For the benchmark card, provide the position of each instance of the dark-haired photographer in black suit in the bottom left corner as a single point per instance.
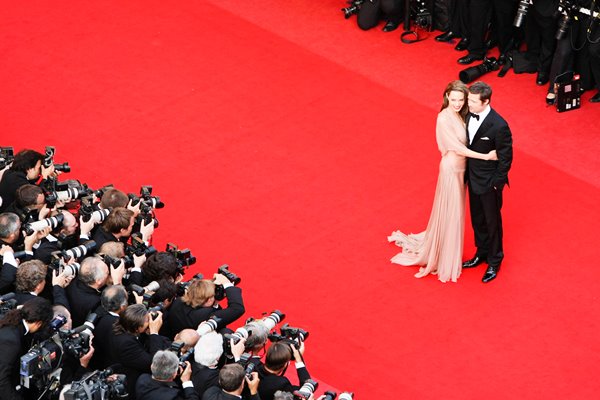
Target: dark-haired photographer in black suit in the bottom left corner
(16, 329)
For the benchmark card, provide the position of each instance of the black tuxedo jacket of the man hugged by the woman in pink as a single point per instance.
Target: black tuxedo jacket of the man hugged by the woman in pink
(493, 134)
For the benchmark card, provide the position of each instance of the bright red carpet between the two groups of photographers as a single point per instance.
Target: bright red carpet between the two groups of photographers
(289, 144)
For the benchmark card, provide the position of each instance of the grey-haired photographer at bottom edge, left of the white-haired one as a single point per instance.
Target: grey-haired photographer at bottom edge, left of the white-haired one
(161, 384)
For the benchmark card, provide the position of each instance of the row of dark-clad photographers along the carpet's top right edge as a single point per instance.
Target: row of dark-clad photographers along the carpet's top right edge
(561, 37)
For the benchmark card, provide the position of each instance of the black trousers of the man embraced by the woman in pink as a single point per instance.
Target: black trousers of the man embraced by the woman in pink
(486, 219)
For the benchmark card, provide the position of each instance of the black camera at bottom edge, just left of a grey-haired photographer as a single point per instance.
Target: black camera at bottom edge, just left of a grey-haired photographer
(100, 385)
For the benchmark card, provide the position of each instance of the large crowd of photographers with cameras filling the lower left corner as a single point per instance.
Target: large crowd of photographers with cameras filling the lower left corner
(90, 309)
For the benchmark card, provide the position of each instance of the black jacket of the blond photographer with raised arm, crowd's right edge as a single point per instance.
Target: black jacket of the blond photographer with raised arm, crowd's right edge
(182, 316)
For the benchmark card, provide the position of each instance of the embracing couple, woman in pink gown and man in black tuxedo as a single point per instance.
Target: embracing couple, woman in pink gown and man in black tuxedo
(476, 147)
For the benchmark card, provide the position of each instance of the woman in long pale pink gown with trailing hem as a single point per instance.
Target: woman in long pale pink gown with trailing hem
(439, 249)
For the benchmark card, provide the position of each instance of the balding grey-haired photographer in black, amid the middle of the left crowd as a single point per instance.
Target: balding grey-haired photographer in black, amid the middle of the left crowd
(84, 292)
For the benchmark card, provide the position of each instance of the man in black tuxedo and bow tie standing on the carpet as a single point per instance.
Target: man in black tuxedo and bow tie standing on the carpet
(487, 131)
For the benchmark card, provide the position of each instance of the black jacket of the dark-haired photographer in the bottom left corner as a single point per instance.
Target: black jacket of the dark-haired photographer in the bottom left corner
(13, 344)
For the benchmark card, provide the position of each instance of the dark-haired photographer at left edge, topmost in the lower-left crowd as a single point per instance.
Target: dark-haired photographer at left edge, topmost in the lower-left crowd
(25, 169)
